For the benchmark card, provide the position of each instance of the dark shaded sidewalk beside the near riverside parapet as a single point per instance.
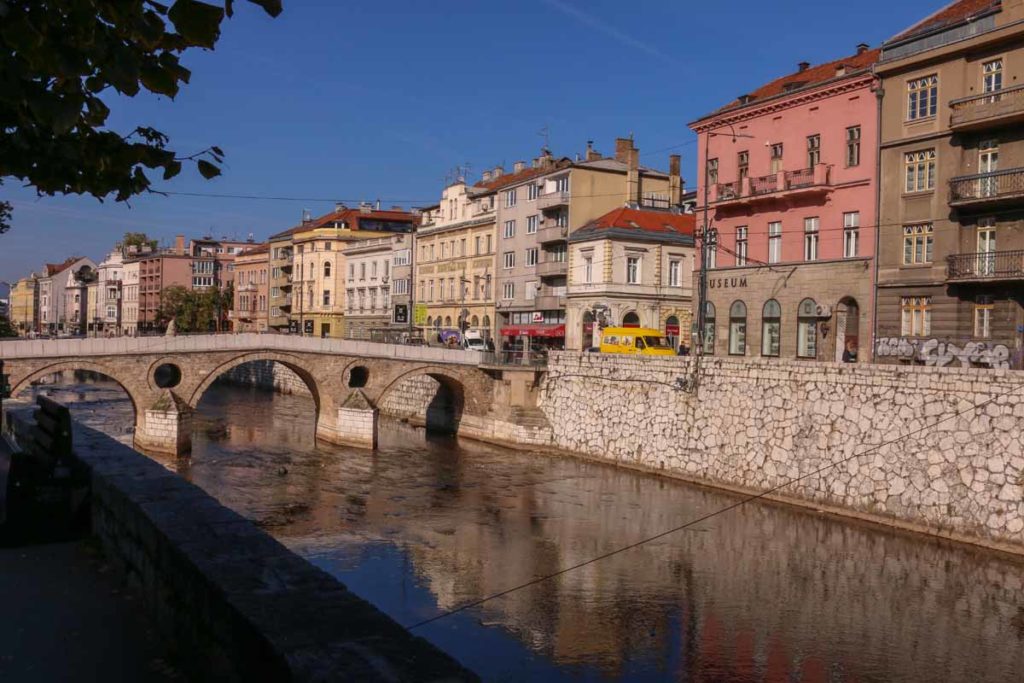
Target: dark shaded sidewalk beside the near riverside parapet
(66, 618)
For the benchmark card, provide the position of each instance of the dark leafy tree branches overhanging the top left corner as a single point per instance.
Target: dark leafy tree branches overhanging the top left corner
(58, 60)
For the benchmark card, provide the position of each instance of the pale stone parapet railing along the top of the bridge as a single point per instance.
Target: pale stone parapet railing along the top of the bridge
(59, 349)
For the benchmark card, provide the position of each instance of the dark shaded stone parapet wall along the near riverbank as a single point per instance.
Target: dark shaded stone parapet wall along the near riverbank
(236, 604)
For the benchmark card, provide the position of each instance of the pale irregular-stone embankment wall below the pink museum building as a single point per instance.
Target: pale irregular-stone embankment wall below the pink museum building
(957, 472)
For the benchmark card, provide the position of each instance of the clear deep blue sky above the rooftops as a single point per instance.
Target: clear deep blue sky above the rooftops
(361, 100)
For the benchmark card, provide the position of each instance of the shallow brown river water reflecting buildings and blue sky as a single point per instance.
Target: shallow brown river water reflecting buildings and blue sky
(761, 593)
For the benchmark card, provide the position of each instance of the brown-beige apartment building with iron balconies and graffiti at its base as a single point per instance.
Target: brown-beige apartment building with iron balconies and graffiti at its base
(951, 275)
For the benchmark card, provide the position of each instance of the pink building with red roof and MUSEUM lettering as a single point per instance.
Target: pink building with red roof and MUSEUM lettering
(791, 191)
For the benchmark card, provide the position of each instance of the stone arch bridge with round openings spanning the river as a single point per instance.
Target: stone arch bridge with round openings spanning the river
(166, 377)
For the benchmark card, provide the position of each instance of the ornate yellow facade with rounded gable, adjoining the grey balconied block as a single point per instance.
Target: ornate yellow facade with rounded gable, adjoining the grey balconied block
(455, 265)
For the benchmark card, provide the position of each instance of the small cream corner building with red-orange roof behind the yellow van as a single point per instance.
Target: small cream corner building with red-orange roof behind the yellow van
(631, 268)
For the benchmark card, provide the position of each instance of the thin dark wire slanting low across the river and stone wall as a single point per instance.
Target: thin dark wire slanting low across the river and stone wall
(705, 518)
